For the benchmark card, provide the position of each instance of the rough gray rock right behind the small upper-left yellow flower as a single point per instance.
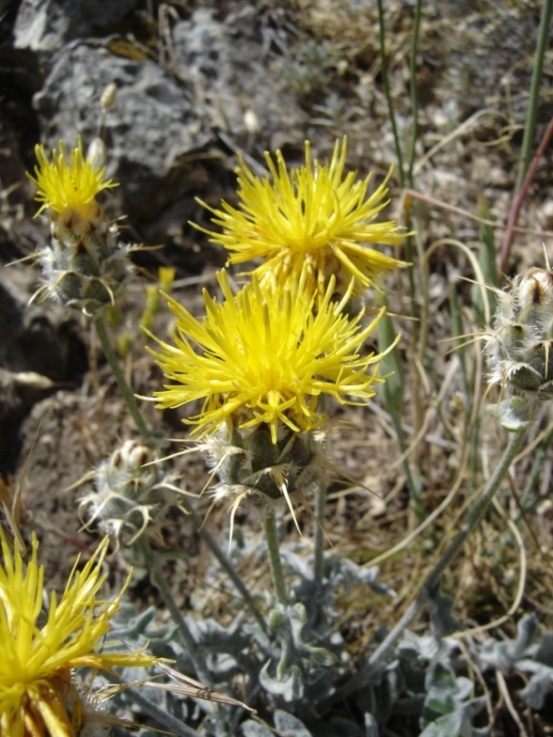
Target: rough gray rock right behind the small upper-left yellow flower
(153, 121)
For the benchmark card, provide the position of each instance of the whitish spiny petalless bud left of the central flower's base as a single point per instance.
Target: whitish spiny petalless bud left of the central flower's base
(130, 497)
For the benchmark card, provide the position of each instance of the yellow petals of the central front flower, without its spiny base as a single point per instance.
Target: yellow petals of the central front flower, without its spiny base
(265, 356)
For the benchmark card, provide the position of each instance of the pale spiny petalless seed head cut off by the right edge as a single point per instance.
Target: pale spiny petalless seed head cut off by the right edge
(518, 348)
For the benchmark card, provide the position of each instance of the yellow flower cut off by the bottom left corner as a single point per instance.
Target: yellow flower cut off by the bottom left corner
(38, 651)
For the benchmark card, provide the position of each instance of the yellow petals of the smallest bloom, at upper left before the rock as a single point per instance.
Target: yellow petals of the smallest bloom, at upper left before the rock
(62, 186)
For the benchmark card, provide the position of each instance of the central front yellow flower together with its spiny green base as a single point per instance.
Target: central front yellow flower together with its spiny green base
(265, 359)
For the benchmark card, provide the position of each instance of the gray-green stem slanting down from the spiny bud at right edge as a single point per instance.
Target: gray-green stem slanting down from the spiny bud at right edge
(429, 584)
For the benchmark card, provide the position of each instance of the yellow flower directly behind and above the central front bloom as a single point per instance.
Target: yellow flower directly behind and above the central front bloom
(313, 215)
